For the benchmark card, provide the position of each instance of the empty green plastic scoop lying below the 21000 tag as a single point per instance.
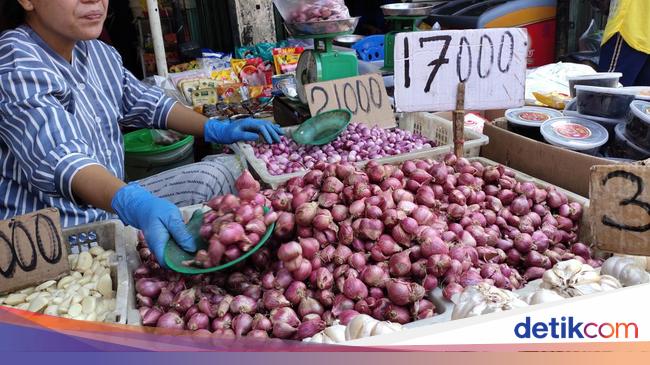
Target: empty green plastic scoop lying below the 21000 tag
(323, 128)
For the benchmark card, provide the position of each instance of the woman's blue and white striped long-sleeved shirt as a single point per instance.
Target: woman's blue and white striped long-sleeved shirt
(57, 117)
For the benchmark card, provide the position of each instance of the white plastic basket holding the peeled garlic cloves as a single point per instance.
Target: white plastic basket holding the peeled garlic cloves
(110, 236)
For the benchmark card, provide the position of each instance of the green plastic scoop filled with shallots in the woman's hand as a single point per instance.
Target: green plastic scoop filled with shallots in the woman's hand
(176, 256)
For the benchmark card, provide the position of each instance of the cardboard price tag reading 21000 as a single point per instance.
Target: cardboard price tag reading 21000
(365, 96)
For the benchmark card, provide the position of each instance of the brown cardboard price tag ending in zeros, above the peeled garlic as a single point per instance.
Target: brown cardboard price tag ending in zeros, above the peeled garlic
(31, 250)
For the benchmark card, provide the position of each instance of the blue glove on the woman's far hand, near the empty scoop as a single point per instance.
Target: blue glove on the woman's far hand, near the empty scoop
(243, 130)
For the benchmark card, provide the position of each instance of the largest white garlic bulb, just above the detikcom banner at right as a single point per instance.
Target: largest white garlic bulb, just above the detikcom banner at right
(572, 279)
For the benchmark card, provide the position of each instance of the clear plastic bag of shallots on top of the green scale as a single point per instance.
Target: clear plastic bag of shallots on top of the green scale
(300, 11)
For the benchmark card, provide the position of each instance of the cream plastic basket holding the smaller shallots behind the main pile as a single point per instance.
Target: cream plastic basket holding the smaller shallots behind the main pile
(429, 125)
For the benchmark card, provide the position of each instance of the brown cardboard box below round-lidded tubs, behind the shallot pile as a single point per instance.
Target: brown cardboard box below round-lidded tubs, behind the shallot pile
(558, 166)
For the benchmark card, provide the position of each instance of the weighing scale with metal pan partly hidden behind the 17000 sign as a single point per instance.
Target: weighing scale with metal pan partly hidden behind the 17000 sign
(403, 18)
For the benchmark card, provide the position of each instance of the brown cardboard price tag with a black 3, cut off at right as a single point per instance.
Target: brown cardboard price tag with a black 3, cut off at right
(620, 208)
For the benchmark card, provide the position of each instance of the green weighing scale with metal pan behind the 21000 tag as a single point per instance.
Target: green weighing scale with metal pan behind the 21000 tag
(323, 63)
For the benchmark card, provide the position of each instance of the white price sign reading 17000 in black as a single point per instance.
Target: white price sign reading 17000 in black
(430, 65)
